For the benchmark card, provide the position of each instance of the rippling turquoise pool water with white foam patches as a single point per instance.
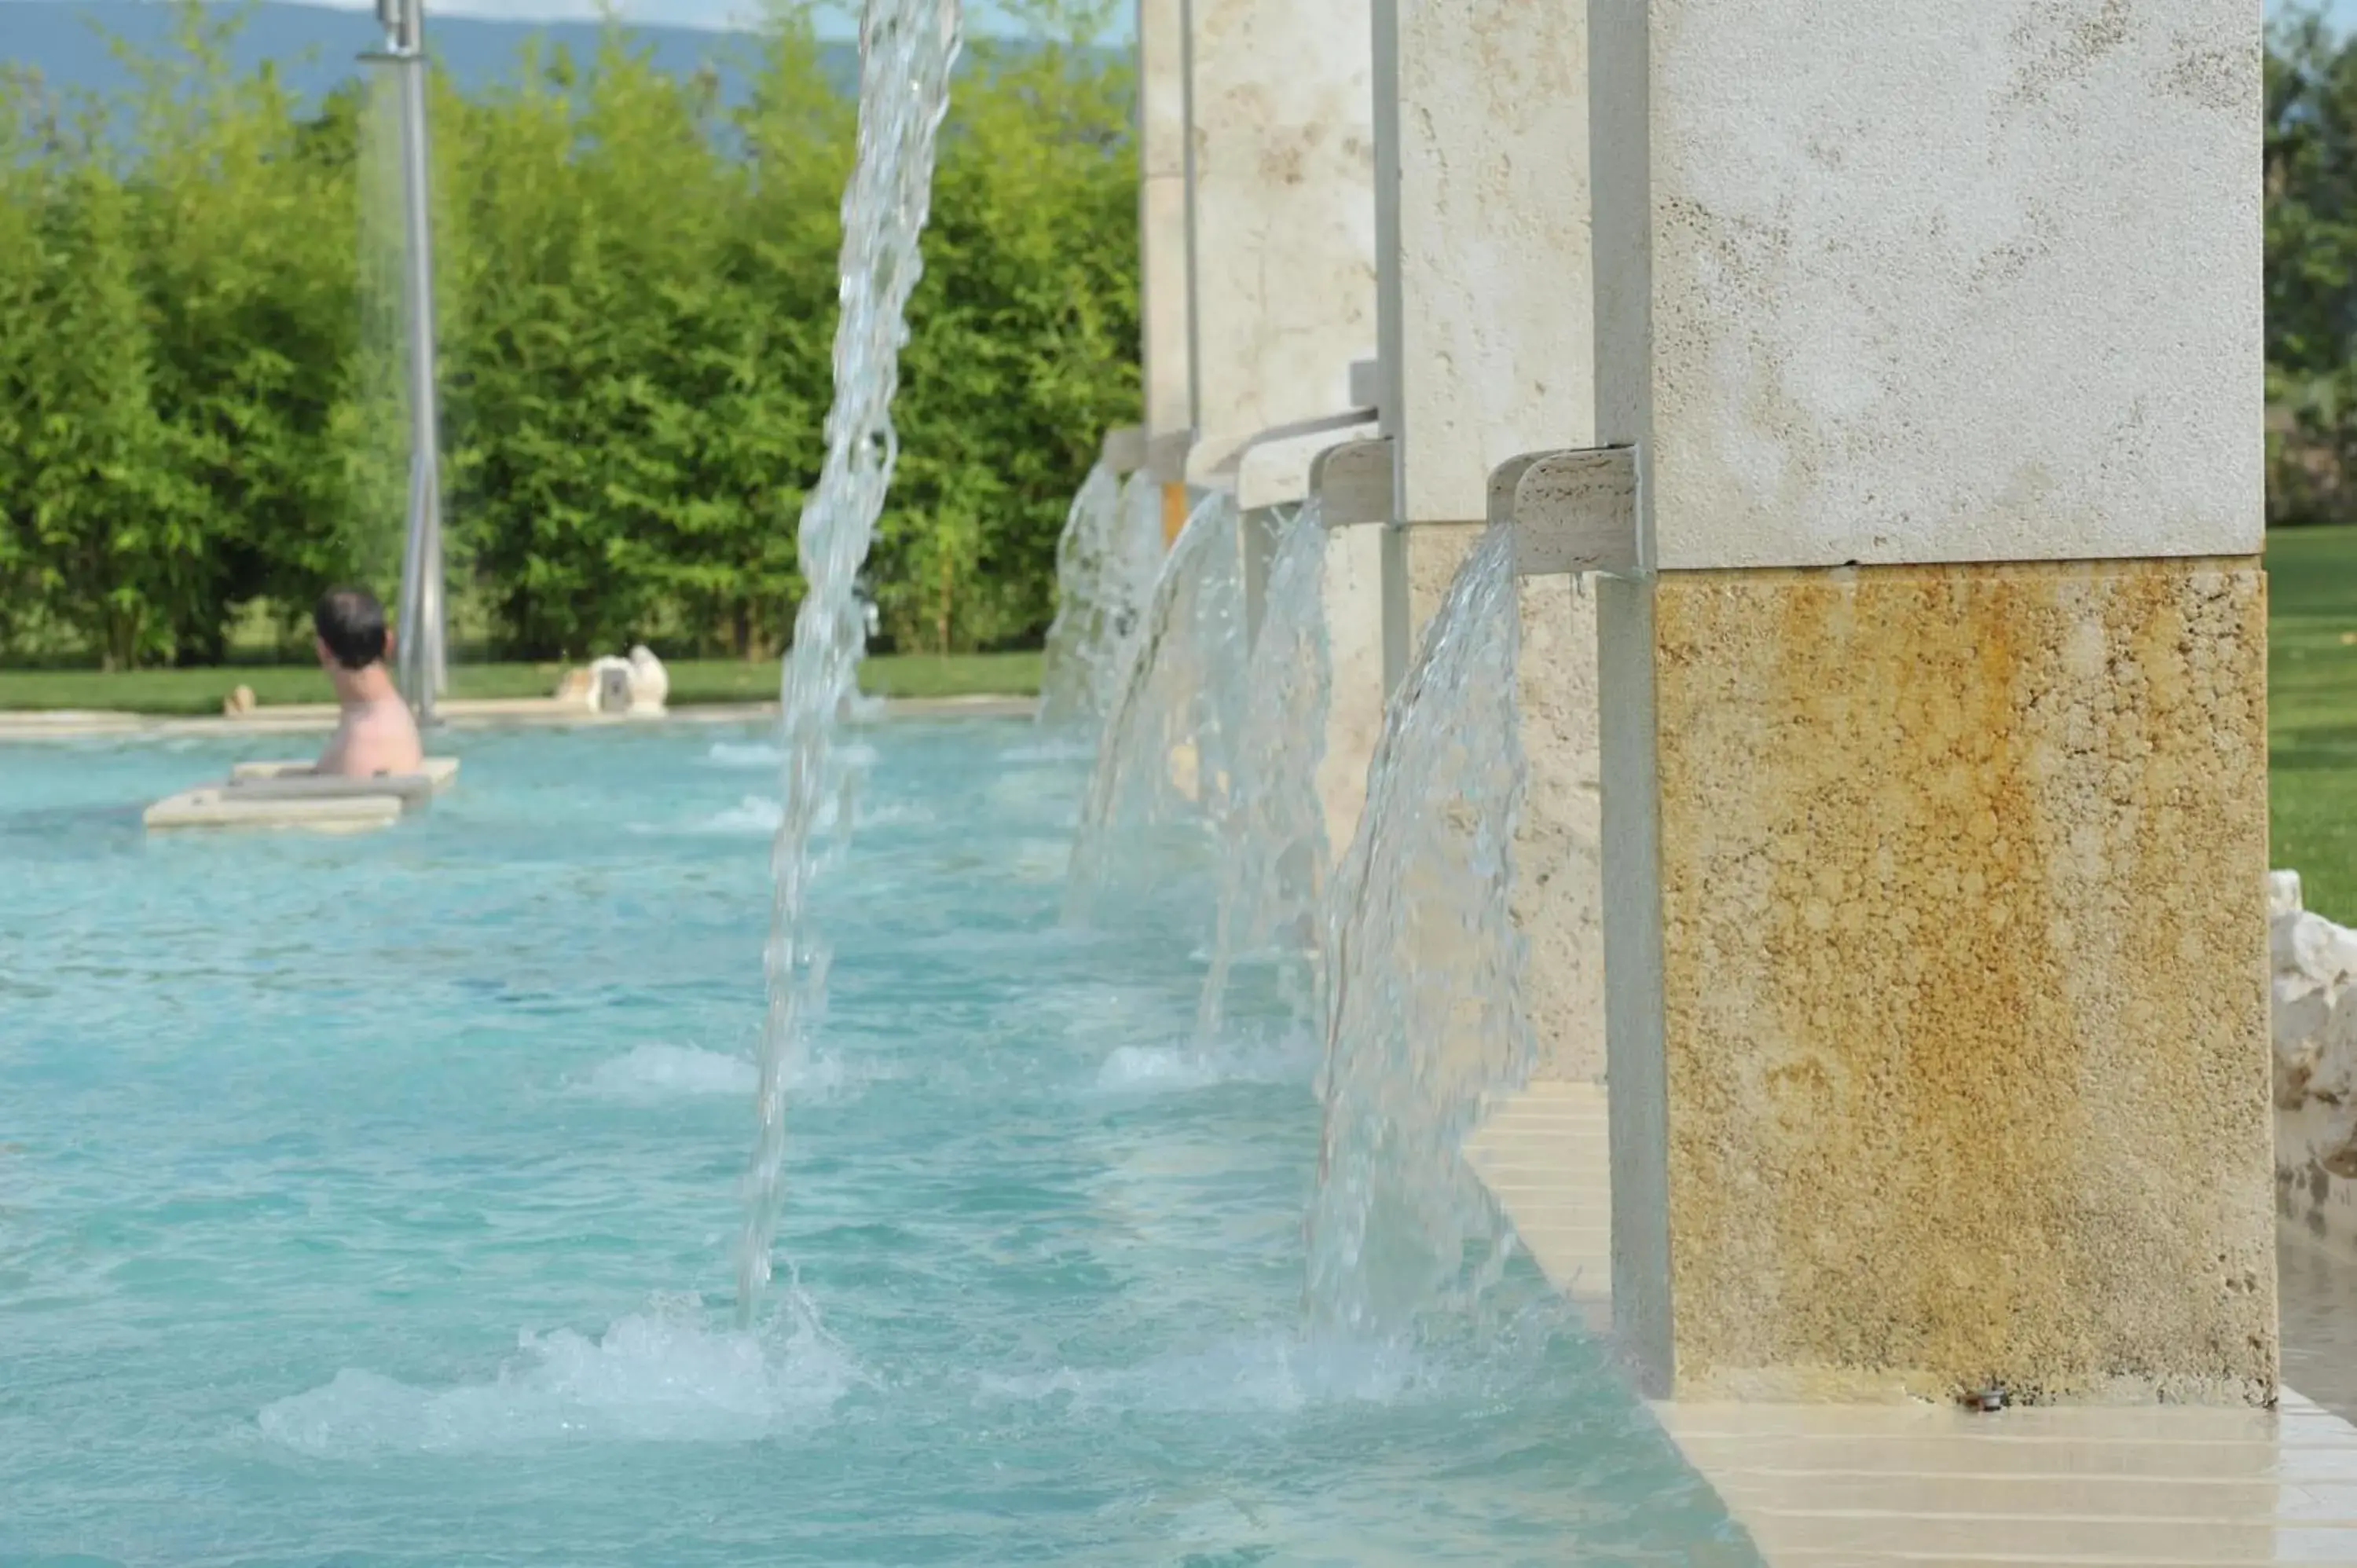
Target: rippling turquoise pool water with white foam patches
(371, 1201)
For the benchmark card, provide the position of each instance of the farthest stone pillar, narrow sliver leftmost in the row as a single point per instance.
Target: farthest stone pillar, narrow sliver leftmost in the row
(1163, 251)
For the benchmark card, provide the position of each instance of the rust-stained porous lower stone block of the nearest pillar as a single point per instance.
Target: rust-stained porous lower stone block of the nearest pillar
(1965, 982)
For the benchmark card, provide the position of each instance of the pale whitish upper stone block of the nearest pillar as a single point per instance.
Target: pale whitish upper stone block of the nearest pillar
(1934, 282)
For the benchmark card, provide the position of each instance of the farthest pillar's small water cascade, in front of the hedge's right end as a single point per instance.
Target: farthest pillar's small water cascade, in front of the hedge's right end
(1107, 569)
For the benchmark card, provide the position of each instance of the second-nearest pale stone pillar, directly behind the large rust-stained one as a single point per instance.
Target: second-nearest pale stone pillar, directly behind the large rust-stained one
(1488, 353)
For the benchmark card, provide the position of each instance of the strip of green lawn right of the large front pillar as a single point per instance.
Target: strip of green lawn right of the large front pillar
(2313, 711)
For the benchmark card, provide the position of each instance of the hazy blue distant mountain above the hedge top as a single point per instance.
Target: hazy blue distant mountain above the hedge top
(315, 48)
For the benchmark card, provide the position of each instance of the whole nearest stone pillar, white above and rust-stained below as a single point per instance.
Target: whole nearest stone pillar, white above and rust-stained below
(1934, 720)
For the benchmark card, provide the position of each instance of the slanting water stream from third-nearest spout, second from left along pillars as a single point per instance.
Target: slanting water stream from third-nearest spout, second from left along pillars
(1168, 763)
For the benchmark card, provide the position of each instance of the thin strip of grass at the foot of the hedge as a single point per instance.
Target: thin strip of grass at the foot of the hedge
(696, 680)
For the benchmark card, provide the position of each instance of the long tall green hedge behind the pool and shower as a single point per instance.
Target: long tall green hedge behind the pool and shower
(199, 404)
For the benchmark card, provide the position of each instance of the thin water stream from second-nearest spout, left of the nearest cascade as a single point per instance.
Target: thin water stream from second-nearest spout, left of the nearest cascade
(1276, 864)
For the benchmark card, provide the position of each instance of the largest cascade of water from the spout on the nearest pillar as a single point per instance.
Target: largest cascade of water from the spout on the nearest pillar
(1427, 977)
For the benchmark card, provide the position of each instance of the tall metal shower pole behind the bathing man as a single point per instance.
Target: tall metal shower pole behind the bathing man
(423, 650)
